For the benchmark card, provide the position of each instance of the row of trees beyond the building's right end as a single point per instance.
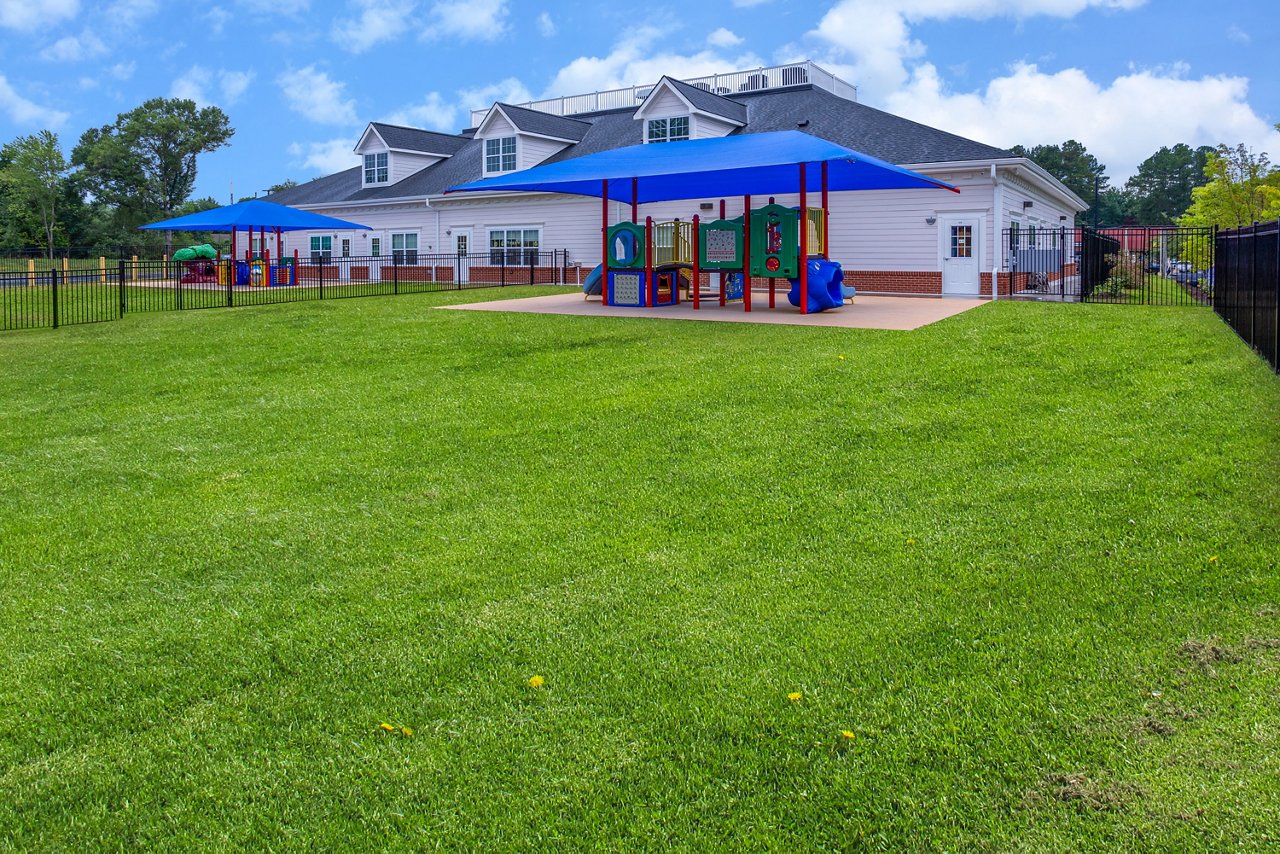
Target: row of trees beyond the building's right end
(1224, 186)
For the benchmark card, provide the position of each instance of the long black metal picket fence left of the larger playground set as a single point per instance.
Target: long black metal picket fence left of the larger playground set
(75, 291)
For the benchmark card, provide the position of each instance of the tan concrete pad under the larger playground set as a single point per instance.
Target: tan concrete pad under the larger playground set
(866, 313)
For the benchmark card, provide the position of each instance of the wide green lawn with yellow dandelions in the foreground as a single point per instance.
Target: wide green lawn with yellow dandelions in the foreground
(1018, 570)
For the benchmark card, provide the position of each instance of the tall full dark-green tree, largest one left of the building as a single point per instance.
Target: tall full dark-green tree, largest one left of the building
(145, 163)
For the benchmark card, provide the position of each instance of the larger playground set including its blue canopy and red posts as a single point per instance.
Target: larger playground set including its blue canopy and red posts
(648, 264)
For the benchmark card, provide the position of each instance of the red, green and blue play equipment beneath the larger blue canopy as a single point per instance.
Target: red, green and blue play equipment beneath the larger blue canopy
(651, 264)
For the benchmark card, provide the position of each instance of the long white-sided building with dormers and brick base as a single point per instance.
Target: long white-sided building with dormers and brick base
(918, 241)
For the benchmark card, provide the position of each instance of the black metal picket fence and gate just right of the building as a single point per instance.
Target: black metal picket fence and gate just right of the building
(1132, 264)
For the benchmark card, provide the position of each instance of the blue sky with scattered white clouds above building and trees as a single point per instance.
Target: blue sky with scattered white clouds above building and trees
(301, 79)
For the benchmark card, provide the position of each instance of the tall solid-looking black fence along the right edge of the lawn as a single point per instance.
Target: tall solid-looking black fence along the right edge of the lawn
(1247, 295)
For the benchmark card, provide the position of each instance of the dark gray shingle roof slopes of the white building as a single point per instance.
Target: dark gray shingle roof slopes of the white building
(804, 108)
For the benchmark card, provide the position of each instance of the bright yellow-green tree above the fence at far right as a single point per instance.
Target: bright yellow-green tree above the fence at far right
(1244, 188)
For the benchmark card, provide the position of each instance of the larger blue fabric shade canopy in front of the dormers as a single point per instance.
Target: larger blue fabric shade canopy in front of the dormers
(757, 165)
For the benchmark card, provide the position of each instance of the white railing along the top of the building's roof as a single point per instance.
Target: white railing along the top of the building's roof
(732, 84)
